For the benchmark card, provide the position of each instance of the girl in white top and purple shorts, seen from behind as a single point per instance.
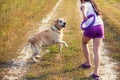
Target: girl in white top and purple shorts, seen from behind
(95, 32)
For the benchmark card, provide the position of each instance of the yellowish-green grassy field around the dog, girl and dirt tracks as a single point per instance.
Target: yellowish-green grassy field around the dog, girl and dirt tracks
(19, 17)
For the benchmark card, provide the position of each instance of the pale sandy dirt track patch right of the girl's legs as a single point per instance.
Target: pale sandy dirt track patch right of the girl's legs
(107, 66)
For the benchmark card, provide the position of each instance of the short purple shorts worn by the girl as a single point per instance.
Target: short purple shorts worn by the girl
(95, 31)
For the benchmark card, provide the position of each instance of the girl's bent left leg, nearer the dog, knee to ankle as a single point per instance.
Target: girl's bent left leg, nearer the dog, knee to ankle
(85, 41)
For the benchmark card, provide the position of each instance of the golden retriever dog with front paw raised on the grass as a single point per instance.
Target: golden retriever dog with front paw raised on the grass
(52, 35)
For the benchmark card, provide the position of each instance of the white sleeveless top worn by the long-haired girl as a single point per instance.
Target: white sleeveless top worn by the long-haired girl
(90, 10)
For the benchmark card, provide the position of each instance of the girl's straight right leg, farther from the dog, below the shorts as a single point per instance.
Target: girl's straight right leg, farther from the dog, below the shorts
(96, 50)
